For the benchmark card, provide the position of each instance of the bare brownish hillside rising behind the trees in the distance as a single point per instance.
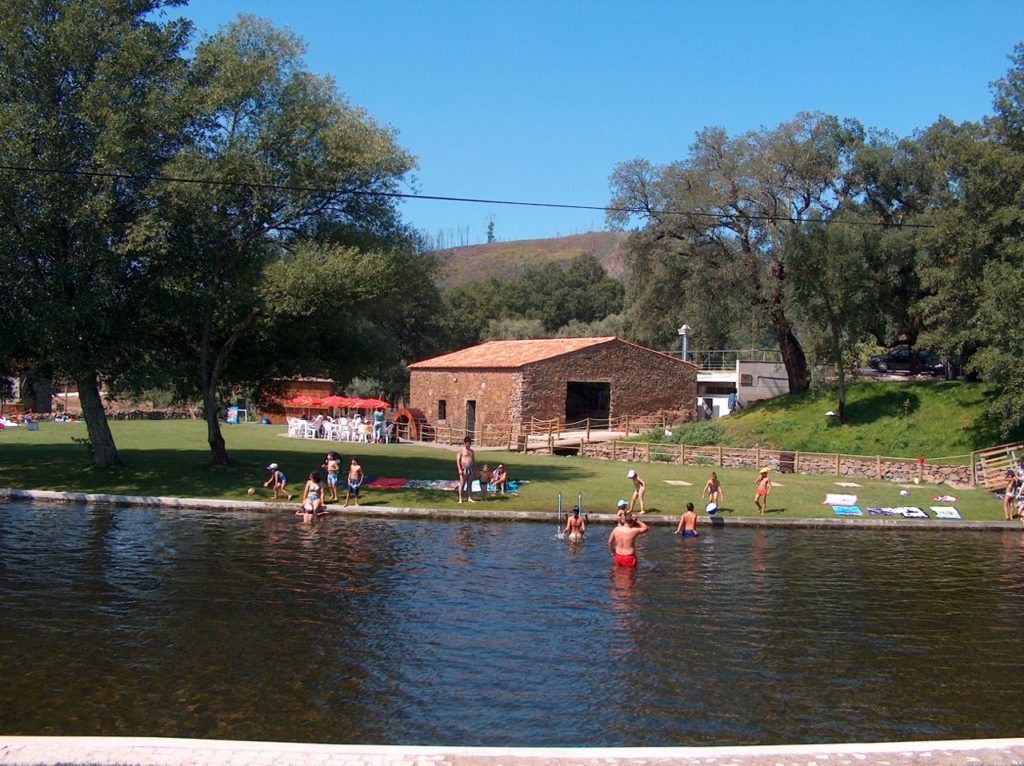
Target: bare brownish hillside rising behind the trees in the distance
(506, 260)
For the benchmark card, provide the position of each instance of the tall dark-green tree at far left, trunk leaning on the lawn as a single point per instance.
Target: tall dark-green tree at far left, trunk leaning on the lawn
(88, 115)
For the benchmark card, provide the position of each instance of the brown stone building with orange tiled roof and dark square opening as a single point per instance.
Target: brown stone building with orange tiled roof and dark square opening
(507, 384)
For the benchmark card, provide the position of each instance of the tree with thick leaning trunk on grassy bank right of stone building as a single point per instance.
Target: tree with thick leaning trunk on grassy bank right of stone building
(741, 195)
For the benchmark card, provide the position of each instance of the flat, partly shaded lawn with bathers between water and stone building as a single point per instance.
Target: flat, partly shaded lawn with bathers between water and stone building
(170, 458)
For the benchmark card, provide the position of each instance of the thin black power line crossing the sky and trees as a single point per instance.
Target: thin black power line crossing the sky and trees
(441, 198)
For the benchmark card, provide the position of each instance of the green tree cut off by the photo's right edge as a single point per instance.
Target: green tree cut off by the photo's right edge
(975, 254)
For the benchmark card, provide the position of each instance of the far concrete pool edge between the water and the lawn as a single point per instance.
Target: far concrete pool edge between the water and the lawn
(48, 496)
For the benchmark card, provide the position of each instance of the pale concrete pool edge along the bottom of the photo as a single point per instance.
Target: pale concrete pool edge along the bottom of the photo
(173, 752)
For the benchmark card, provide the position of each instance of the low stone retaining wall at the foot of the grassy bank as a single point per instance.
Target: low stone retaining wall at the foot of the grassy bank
(851, 466)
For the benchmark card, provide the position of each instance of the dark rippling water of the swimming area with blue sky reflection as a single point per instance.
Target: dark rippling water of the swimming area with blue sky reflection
(249, 626)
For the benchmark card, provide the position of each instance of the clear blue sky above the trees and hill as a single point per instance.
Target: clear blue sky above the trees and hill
(538, 101)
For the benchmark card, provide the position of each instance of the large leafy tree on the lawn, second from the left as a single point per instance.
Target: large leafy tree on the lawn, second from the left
(273, 152)
